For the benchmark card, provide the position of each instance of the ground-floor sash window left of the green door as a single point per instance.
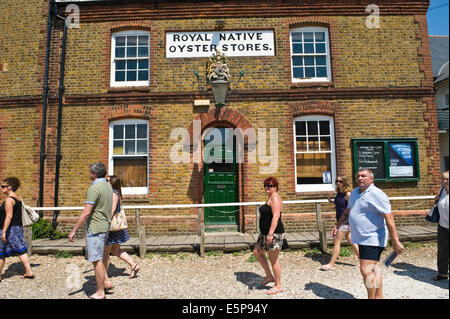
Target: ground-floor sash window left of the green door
(129, 154)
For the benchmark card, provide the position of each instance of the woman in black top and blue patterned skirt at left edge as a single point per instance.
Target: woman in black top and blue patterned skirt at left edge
(11, 230)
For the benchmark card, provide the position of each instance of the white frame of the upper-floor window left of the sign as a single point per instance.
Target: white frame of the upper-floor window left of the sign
(113, 82)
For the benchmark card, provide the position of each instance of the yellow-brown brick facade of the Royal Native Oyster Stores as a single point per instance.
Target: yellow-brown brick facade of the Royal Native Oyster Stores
(364, 82)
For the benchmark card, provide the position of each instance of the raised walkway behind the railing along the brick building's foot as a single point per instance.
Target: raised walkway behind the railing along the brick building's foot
(218, 241)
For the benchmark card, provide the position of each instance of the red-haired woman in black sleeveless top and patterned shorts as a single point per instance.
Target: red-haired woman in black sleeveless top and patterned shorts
(272, 235)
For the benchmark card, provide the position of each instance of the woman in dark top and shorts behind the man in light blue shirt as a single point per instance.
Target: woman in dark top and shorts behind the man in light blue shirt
(343, 191)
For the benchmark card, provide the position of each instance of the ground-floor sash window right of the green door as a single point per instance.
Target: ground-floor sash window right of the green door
(315, 165)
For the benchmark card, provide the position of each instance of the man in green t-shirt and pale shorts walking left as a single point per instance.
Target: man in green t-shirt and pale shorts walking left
(97, 216)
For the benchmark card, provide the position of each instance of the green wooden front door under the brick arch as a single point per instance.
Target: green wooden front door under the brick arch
(220, 178)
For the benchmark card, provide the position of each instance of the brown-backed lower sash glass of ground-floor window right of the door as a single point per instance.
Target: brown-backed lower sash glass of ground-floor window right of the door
(310, 167)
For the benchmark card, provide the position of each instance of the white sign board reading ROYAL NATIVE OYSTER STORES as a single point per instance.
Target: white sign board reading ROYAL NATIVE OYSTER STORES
(231, 43)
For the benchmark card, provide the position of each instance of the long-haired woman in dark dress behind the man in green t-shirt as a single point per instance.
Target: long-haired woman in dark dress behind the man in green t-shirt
(116, 238)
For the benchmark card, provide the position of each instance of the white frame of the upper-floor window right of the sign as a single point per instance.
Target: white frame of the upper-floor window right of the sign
(327, 54)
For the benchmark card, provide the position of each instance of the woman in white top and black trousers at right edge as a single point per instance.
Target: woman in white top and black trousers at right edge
(442, 202)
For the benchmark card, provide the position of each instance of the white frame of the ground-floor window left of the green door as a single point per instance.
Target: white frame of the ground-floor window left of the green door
(128, 190)
